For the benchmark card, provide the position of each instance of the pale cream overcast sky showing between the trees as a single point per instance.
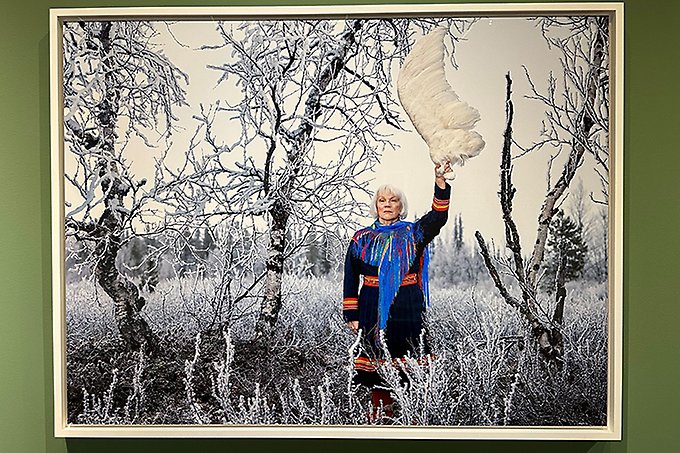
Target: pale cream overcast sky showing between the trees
(491, 49)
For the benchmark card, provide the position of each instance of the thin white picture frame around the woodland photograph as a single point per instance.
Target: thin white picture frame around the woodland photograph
(611, 430)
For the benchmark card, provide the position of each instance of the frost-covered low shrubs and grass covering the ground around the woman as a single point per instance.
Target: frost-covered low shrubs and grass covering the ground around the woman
(485, 370)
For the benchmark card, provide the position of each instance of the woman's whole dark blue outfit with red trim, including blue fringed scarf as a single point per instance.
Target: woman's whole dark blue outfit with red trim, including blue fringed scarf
(390, 262)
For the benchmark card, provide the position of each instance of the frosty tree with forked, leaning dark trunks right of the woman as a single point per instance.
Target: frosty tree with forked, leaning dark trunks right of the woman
(577, 111)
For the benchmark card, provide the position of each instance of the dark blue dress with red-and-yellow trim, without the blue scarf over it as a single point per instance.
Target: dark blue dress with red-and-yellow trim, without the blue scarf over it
(405, 332)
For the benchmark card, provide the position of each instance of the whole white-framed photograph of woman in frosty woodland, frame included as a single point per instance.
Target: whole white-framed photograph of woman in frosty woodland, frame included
(349, 221)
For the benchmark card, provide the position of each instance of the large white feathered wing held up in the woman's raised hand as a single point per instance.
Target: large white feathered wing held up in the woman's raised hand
(440, 117)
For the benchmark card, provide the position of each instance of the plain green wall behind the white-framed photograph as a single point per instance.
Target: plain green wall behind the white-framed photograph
(652, 162)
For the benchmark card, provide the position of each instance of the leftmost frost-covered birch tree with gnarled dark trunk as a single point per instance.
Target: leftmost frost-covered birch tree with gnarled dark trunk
(117, 86)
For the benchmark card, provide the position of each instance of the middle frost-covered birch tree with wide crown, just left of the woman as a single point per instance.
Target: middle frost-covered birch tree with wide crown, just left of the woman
(304, 84)
